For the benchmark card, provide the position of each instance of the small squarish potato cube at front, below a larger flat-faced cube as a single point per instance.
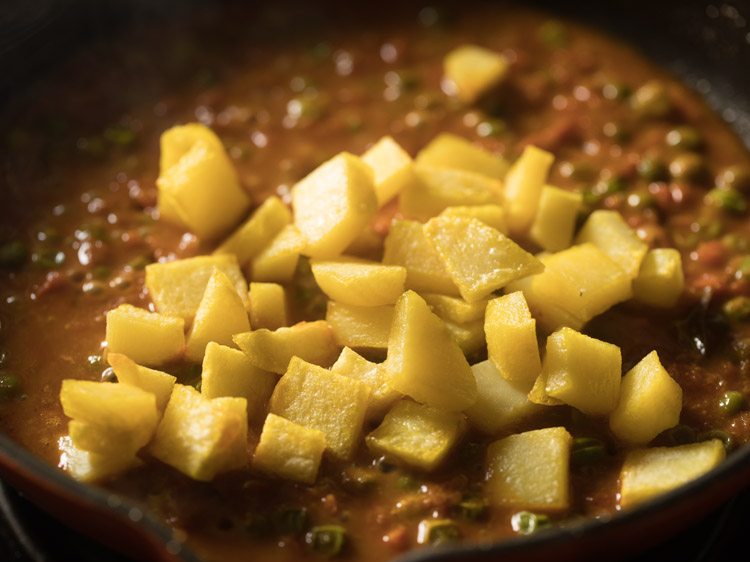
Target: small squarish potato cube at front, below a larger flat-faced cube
(289, 451)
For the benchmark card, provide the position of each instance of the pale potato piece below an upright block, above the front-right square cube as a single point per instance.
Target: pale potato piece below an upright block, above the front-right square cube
(500, 404)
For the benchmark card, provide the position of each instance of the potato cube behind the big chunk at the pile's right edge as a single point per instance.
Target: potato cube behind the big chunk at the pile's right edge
(609, 232)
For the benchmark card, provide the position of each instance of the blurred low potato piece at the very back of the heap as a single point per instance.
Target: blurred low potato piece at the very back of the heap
(451, 151)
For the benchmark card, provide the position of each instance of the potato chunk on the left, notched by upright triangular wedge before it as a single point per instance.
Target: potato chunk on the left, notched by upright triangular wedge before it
(177, 287)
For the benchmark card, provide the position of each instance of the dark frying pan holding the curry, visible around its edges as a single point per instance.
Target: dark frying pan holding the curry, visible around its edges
(707, 45)
